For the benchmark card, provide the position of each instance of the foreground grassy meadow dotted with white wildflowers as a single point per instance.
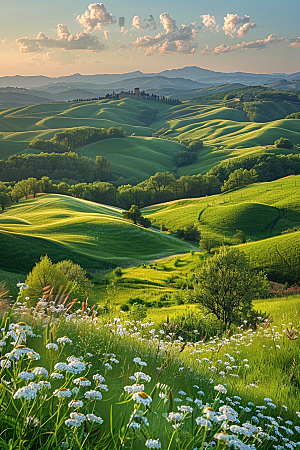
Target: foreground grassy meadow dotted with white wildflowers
(101, 381)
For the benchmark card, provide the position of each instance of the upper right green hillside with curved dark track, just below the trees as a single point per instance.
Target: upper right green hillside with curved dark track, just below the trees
(261, 210)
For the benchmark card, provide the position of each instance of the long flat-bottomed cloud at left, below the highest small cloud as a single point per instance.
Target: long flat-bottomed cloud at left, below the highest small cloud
(65, 41)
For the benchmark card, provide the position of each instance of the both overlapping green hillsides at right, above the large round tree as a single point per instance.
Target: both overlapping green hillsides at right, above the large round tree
(262, 211)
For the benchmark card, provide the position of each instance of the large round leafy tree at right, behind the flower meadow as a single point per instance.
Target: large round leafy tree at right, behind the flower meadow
(225, 286)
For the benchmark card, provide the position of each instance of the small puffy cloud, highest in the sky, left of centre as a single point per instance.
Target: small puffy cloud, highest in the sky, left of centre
(95, 17)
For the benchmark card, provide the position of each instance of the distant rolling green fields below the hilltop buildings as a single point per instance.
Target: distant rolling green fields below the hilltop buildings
(226, 132)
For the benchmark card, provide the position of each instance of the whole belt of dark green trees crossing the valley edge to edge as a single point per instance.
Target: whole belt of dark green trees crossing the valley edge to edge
(161, 187)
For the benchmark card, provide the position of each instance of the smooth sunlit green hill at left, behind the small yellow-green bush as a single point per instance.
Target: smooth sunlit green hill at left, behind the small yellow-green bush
(90, 234)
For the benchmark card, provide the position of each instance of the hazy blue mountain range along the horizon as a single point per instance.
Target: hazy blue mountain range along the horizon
(187, 82)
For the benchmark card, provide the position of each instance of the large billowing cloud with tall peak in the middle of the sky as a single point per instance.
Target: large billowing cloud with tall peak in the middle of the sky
(174, 40)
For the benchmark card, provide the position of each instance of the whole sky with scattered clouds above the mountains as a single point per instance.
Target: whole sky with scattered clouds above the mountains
(63, 37)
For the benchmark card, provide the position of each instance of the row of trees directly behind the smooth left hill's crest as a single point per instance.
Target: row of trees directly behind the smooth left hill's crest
(161, 187)
